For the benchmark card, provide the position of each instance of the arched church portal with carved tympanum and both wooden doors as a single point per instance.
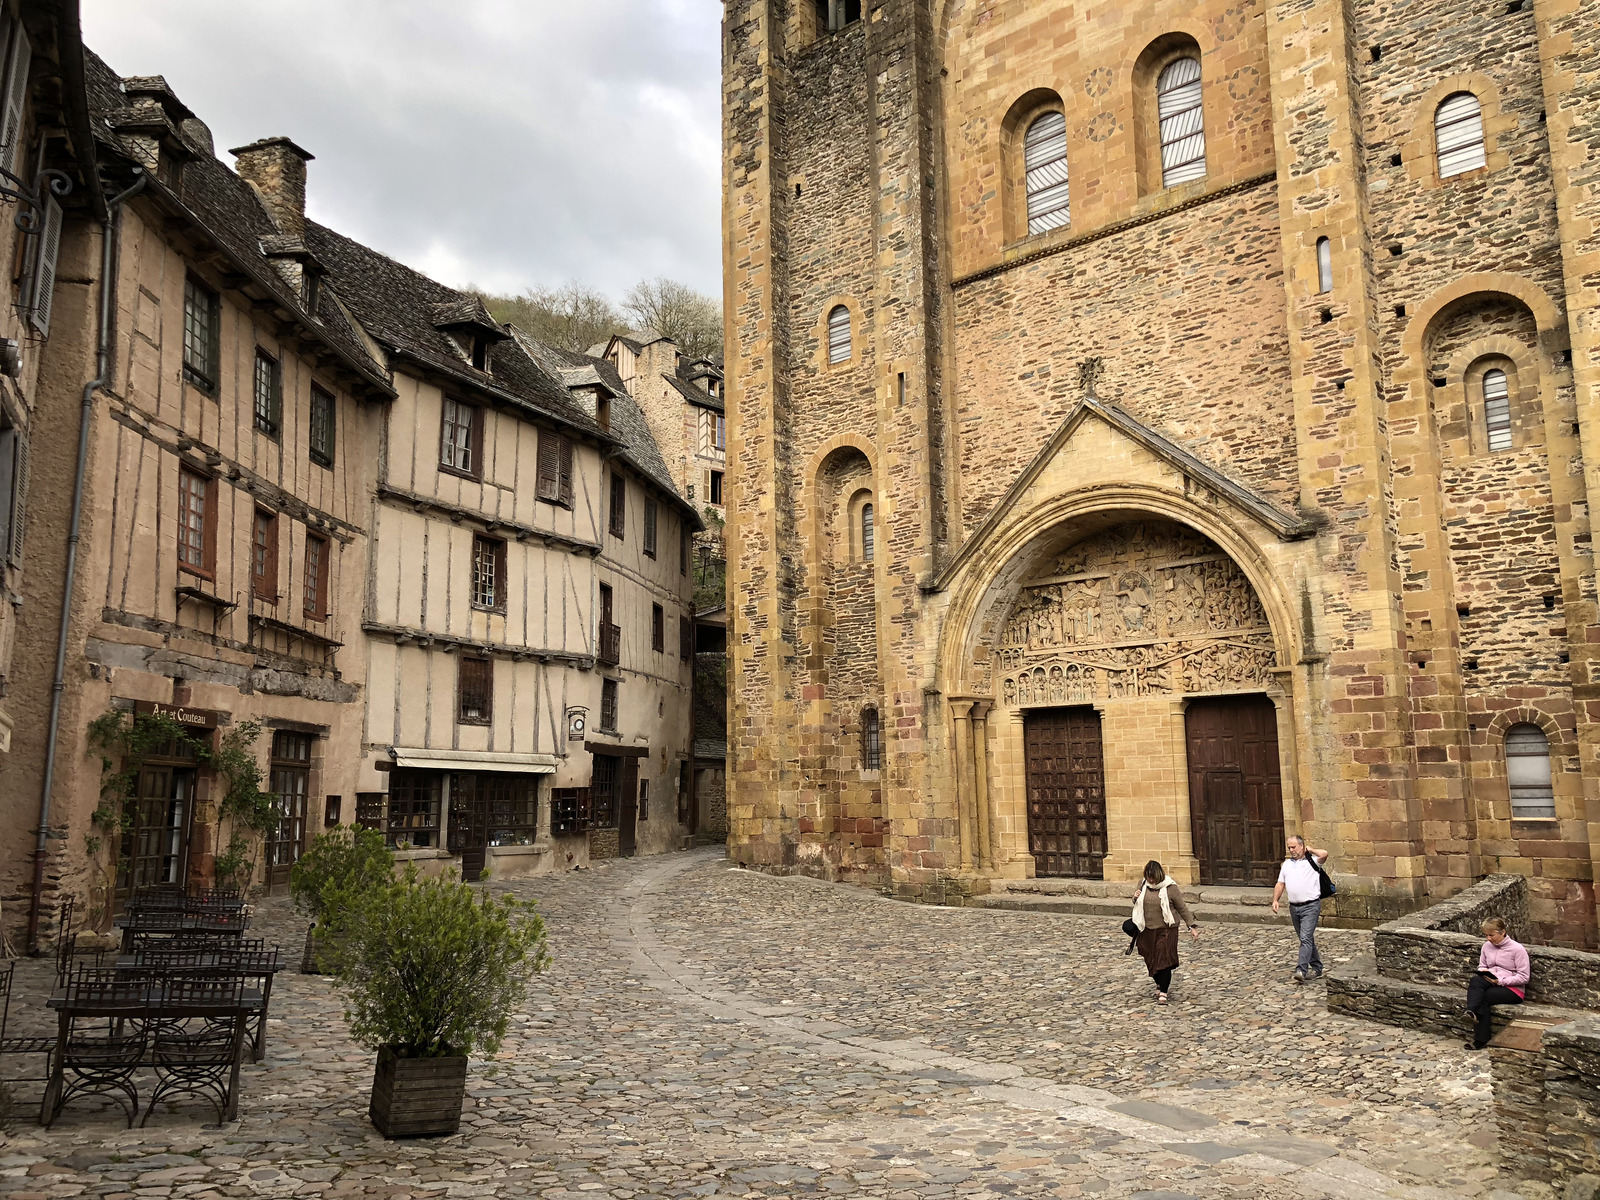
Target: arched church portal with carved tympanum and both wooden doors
(1140, 642)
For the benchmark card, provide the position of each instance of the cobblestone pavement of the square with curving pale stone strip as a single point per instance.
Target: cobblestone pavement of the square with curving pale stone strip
(710, 1031)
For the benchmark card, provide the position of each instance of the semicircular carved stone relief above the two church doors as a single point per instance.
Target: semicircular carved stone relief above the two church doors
(1143, 609)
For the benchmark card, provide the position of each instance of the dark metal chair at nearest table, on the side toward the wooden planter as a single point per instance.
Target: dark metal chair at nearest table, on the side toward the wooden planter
(198, 1039)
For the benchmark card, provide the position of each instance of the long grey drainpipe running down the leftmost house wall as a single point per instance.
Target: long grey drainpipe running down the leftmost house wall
(60, 682)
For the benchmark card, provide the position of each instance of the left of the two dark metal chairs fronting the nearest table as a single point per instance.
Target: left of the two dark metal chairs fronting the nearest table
(102, 1063)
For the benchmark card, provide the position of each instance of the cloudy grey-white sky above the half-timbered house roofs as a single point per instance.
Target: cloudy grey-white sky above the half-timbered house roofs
(503, 143)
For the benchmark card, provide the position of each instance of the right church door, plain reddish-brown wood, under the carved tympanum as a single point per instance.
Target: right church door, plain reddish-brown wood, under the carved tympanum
(1236, 794)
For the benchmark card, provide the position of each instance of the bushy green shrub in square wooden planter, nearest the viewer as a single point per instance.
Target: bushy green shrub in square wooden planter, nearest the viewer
(431, 972)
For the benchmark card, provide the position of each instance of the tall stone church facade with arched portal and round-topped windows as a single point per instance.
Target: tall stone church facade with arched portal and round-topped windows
(1162, 428)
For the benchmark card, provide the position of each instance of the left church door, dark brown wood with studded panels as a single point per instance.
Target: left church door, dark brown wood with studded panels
(1066, 793)
